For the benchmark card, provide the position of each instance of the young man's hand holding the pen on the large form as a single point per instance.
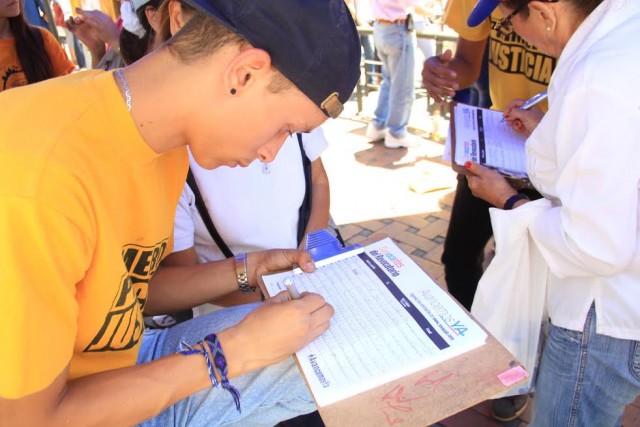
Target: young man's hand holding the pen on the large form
(274, 331)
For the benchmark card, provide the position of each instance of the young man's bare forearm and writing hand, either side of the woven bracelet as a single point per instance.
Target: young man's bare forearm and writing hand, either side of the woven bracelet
(128, 396)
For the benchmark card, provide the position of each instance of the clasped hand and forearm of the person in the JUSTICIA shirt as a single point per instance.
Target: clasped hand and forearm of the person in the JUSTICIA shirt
(445, 74)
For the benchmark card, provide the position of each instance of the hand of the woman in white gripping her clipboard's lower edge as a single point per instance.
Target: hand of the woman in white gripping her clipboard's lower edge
(488, 184)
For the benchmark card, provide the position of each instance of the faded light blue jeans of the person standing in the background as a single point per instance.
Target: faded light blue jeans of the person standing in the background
(395, 46)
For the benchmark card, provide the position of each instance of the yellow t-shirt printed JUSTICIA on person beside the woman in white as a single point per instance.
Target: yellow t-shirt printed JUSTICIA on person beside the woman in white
(516, 68)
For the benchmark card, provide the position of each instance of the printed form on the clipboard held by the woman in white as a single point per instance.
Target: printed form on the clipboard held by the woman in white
(482, 138)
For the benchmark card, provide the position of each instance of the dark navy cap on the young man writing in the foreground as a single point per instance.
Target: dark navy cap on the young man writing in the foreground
(314, 43)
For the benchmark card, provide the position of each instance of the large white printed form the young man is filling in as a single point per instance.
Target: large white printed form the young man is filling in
(390, 320)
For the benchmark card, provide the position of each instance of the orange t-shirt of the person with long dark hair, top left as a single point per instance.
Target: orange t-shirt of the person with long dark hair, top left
(11, 74)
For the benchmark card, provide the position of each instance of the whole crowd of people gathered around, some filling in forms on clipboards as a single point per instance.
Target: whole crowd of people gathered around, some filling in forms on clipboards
(111, 207)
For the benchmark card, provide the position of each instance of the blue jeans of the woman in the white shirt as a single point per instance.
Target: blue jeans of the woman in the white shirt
(585, 379)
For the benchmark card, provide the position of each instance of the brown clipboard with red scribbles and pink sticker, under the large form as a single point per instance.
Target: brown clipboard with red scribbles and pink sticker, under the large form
(429, 395)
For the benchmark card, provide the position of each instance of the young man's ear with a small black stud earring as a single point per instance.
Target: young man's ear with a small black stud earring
(247, 68)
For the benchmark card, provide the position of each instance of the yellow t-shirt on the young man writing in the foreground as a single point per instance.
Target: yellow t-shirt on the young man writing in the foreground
(86, 215)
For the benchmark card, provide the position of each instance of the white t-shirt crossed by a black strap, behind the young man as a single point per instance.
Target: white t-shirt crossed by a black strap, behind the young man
(253, 208)
